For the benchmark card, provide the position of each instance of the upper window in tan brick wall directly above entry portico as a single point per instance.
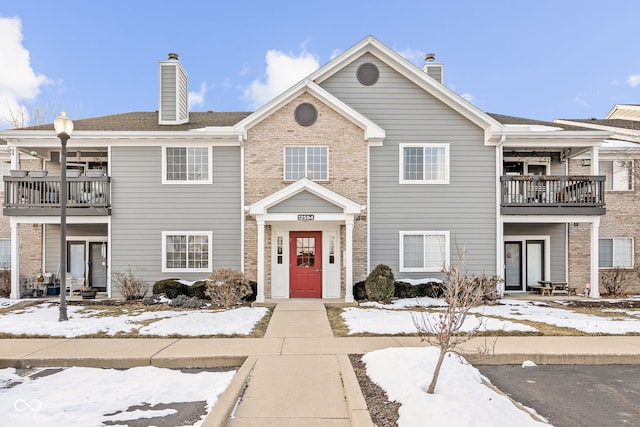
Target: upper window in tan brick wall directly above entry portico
(310, 162)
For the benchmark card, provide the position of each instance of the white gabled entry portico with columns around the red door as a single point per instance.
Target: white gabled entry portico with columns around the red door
(310, 242)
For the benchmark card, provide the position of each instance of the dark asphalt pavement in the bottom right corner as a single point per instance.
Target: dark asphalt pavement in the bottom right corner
(573, 395)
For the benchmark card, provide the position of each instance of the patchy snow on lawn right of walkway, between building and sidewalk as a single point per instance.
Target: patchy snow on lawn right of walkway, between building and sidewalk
(396, 318)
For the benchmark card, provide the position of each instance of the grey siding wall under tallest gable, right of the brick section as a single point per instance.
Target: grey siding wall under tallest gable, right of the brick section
(466, 207)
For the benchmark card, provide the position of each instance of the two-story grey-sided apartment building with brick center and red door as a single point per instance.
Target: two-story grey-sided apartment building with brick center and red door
(368, 160)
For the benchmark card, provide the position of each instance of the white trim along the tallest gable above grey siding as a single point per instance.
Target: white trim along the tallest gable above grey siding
(416, 75)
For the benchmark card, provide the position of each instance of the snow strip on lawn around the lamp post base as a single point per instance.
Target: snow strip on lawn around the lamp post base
(42, 319)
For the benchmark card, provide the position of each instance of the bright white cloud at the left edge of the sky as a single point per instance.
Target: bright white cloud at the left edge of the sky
(18, 82)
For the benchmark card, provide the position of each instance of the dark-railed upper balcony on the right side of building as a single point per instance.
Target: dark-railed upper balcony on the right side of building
(552, 195)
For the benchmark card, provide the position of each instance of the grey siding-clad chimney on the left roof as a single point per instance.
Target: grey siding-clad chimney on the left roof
(174, 92)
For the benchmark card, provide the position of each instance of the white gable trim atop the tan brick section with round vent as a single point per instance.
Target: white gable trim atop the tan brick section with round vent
(372, 131)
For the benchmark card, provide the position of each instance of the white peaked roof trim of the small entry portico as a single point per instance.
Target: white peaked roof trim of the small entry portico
(260, 207)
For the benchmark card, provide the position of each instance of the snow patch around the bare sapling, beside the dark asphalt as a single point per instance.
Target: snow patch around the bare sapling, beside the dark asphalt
(461, 399)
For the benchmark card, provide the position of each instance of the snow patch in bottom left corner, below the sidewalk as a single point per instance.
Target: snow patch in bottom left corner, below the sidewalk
(84, 396)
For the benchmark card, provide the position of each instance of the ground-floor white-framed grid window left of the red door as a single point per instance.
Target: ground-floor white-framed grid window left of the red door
(186, 251)
